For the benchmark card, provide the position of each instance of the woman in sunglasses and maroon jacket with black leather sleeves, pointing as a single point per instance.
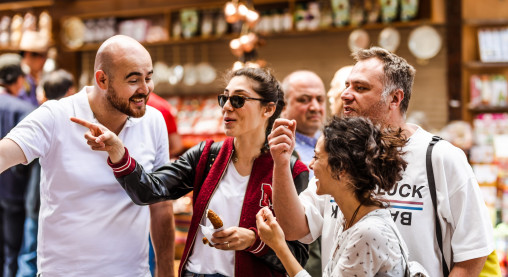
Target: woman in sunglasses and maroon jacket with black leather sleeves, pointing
(233, 178)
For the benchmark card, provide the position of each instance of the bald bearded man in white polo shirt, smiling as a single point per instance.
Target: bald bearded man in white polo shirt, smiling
(88, 226)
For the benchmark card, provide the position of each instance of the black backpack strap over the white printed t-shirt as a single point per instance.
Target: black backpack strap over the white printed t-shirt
(432, 189)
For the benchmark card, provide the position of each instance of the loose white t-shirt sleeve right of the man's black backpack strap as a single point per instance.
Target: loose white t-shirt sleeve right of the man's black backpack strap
(465, 206)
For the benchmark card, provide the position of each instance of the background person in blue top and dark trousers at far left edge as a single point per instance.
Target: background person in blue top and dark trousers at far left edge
(13, 182)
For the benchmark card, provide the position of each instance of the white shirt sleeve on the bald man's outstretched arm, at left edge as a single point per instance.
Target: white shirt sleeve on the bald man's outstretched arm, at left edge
(35, 132)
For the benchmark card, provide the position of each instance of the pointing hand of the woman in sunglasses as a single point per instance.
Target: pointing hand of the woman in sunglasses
(101, 138)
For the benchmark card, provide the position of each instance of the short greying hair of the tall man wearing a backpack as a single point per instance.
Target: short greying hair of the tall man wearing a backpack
(398, 73)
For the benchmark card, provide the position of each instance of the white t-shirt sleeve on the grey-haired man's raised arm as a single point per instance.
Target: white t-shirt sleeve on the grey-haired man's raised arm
(314, 211)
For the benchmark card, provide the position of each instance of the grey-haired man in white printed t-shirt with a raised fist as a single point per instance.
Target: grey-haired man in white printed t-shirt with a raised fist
(379, 87)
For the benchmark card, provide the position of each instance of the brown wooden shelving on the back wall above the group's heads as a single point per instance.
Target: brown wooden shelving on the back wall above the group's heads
(322, 51)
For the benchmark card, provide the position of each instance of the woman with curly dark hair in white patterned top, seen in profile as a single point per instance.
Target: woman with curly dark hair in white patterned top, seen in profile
(353, 159)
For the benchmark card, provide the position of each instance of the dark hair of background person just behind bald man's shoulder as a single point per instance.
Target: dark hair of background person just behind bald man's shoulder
(57, 83)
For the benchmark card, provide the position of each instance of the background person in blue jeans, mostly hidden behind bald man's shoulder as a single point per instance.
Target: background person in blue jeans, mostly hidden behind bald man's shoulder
(55, 85)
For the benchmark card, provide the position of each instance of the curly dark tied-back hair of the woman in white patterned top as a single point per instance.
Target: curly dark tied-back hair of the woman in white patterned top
(372, 157)
